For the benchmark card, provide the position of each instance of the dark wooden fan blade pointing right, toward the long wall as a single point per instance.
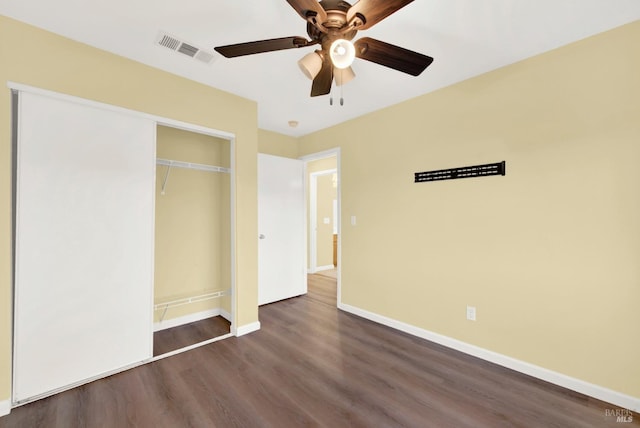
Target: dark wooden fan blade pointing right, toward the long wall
(392, 56)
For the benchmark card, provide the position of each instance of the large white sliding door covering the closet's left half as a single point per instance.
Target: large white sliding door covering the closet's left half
(84, 243)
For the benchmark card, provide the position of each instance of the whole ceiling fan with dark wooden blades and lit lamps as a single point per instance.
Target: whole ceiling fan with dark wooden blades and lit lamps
(332, 24)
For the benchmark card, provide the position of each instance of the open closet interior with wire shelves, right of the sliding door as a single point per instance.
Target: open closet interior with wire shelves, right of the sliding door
(192, 239)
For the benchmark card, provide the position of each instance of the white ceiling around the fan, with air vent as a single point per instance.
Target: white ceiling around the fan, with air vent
(466, 38)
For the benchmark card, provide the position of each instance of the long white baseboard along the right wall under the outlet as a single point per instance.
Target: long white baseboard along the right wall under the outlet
(599, 392)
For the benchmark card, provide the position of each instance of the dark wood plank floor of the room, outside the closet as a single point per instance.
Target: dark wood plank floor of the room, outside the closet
(313, 366)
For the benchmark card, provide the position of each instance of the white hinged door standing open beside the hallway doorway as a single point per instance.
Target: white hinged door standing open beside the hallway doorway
(281, 225)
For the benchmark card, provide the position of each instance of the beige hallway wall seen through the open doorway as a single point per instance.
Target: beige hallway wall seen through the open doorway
(326, 193)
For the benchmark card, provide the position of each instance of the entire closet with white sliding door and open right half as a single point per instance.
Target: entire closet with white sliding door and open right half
(102, 259)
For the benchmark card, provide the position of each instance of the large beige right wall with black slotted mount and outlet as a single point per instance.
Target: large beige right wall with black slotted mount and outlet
(549, 253)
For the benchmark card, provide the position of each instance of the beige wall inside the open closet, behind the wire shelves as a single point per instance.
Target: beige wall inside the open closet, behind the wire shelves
(192, 243)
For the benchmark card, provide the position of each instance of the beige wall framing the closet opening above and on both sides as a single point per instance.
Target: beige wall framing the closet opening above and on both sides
(69, 67)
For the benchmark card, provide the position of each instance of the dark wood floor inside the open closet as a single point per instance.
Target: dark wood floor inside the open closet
(185, 335)
